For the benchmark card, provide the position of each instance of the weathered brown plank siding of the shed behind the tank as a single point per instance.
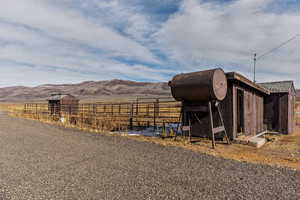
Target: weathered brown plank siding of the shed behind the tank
(253, 114)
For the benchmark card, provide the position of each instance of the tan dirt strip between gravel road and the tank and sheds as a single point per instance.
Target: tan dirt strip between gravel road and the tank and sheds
(280, 150)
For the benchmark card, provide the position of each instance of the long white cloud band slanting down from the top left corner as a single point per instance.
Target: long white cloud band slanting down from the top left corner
(67, 24)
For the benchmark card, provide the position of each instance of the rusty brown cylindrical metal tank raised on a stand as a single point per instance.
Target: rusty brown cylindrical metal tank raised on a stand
(199, 86)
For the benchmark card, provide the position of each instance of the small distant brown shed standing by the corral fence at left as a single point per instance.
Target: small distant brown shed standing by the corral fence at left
(62, 103)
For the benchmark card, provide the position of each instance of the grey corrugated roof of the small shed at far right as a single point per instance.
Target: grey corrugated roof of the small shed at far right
(279, 86)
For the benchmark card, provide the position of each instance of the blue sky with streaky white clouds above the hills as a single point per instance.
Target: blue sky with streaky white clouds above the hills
(70, 41)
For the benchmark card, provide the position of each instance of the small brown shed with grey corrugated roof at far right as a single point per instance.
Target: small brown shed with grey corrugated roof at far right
(279, 107)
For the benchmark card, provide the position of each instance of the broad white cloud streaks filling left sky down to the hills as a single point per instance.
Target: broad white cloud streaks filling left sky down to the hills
(62, 46)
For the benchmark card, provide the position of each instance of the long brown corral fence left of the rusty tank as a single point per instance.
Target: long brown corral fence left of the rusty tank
(143, 112)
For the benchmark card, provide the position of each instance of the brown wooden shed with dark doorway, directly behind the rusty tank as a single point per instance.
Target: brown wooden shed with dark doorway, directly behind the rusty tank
(242, 109)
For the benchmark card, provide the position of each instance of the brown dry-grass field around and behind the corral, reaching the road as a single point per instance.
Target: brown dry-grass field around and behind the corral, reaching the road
(281, 150)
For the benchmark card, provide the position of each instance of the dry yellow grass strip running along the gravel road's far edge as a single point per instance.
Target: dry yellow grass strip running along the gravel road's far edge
(281, 150)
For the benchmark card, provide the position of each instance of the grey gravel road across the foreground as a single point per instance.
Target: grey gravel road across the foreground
(41, 161)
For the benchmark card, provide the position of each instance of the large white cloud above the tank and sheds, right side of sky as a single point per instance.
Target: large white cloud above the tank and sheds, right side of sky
(228, 35)
